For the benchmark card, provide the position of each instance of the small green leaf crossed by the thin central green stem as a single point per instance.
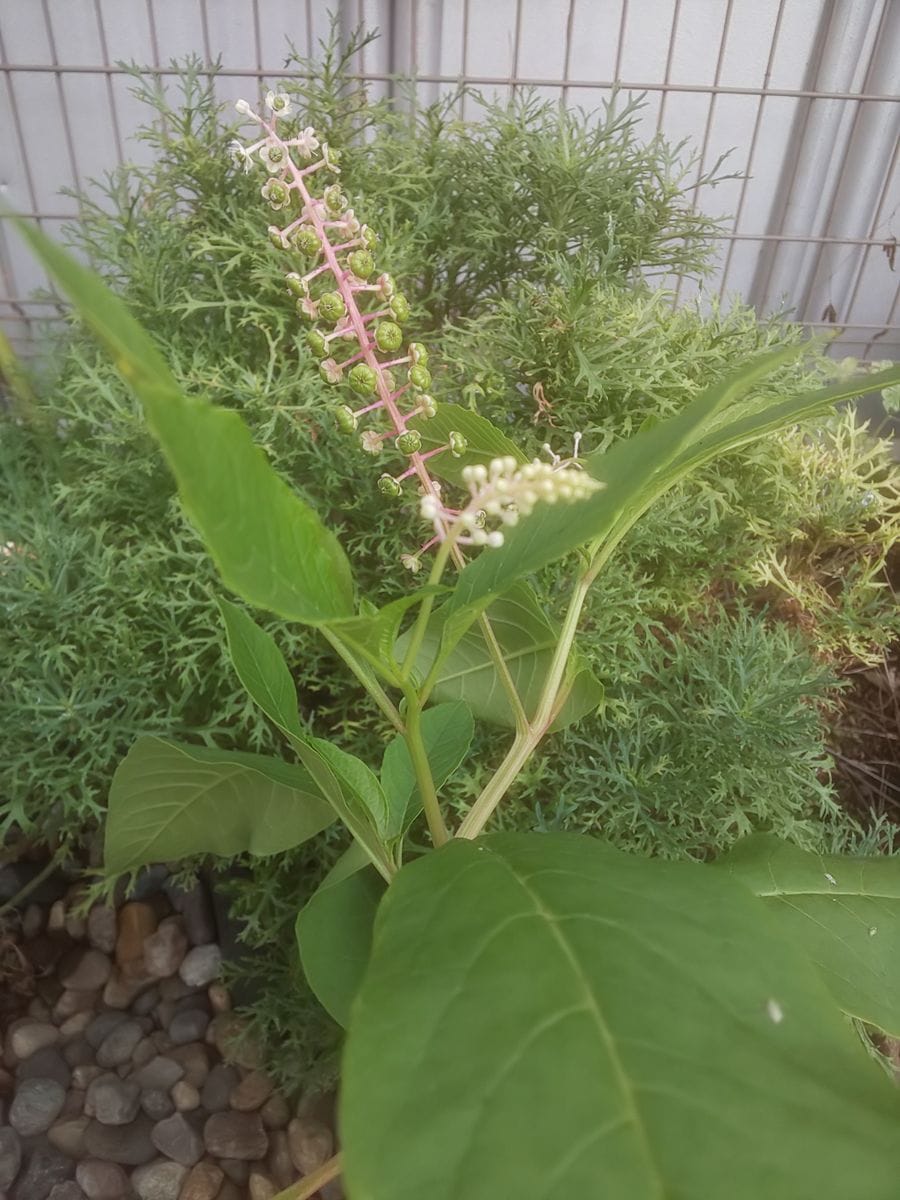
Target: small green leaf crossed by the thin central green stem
(447, 734)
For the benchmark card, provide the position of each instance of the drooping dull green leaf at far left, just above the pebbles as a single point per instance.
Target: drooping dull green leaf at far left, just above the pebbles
(172, 801)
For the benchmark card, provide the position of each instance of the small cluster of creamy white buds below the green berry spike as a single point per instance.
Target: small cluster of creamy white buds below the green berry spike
(507, 491)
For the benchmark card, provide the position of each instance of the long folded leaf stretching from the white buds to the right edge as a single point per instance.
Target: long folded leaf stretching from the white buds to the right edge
(638, 471)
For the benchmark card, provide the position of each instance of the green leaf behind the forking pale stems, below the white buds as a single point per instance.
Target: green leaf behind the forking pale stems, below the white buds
(527, 639)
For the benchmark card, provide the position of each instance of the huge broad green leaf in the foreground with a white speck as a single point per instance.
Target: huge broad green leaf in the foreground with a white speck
(544, 1016)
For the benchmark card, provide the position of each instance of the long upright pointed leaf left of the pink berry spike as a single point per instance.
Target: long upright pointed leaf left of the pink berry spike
(269, 547)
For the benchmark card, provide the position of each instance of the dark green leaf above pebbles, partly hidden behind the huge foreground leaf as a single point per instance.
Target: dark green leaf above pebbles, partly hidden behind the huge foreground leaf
(334, 935)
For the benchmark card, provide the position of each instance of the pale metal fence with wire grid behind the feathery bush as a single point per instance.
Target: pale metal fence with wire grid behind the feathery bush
(807, 89)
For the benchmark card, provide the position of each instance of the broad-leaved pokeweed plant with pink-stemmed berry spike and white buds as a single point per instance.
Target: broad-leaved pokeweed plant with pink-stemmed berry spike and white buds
(526, 1013)
